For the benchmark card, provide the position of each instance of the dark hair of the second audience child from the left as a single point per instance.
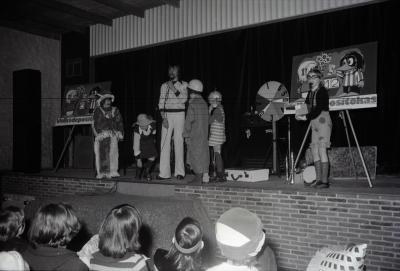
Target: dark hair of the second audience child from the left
(54, 225)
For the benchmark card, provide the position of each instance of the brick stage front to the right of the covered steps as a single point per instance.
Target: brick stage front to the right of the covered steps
(298, 223)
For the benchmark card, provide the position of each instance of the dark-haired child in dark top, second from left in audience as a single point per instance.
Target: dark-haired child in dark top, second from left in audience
(52, 228)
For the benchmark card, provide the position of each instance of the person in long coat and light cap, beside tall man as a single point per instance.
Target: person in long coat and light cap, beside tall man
(196, 132)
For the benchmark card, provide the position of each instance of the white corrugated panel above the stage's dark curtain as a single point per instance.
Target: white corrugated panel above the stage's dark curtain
(200, 17)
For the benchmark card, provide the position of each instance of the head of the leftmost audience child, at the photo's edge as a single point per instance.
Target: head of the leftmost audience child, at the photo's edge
(12, 223)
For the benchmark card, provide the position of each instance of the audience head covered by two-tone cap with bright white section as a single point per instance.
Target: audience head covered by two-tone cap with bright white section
(240, 235)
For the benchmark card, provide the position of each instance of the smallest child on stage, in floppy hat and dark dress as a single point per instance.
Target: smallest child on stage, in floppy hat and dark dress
(144, 147)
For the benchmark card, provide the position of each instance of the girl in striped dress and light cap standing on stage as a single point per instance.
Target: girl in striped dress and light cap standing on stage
(217, 134)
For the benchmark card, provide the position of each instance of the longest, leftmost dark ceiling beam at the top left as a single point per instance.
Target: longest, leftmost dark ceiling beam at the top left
(71, 10)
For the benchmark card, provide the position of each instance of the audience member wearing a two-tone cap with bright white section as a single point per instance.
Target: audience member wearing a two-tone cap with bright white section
(241, 239)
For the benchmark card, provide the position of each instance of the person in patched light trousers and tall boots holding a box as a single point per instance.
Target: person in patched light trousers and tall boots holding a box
(317, 102)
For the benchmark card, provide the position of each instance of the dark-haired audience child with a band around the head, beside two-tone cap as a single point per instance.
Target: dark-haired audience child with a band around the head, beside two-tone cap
(185, 249)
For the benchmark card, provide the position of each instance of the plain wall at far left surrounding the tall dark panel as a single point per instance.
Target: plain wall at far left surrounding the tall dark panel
(20, 50)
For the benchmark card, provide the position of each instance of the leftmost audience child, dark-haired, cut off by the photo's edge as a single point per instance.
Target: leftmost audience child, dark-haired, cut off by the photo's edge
(12, 226)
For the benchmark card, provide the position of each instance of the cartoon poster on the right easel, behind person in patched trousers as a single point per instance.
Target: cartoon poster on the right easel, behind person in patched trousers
(349, 75)
